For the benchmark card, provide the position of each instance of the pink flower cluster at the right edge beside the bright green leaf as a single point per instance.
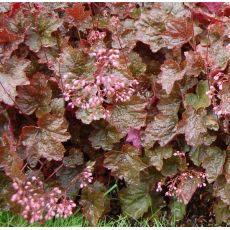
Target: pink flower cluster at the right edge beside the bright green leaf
(216, 86)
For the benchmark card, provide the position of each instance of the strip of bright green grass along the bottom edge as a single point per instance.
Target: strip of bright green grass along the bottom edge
(9, 220)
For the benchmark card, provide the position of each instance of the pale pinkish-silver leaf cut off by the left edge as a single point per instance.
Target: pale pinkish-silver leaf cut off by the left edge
(12, 74)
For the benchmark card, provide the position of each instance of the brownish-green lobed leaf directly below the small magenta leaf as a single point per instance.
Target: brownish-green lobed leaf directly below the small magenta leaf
(125, 164)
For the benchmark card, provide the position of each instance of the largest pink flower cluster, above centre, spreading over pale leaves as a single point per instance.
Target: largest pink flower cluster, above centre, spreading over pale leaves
(104, 87)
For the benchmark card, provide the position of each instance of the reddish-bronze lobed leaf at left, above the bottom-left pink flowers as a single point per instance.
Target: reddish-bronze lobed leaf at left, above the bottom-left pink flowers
(45, 139)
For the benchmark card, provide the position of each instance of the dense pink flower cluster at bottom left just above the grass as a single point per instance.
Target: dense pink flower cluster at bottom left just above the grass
(39, 204)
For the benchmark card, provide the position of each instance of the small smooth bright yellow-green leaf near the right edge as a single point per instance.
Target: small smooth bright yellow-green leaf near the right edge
(200, 99)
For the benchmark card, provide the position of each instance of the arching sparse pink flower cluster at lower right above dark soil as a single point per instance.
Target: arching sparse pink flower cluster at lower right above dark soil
(174, 186)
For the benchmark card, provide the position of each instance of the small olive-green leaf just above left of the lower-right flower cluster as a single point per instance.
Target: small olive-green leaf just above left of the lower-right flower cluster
(156, 155)
